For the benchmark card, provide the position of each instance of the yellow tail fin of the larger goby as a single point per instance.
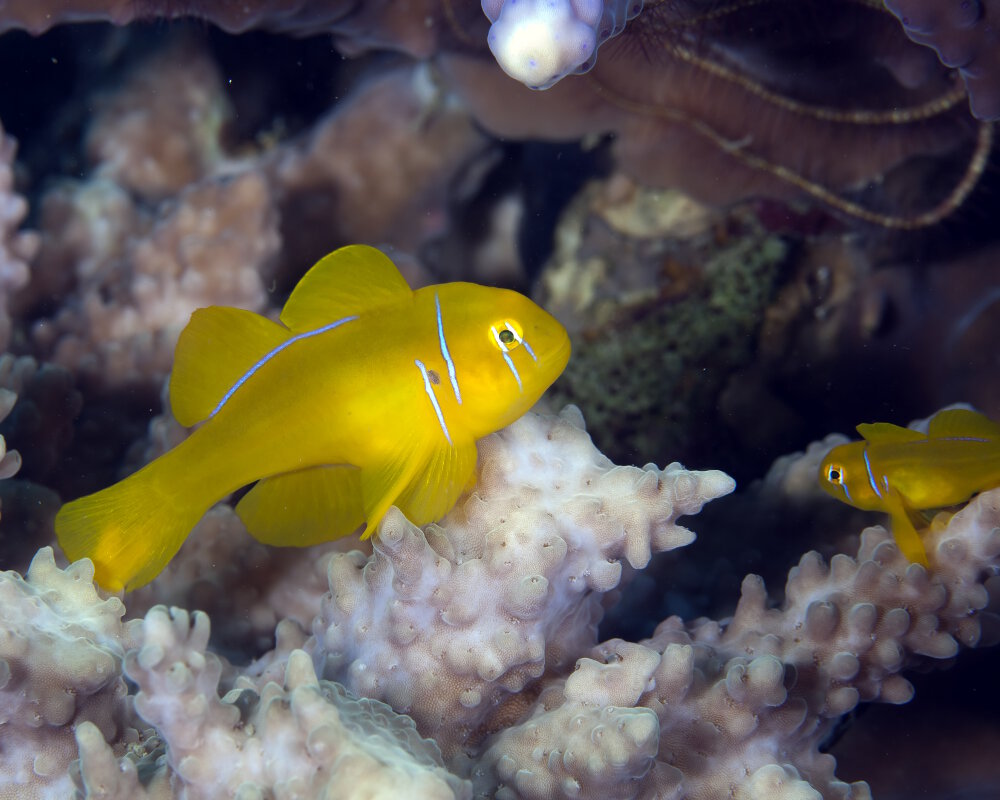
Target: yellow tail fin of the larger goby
(129, 530)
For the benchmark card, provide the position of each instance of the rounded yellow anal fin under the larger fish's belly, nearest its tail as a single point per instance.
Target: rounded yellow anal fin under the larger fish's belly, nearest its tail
(306, 507)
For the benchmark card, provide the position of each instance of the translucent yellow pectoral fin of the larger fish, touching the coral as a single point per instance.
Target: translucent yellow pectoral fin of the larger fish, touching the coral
(424, 485)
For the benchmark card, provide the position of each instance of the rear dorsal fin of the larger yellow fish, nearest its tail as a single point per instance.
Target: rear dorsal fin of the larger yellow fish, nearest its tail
(218, 346)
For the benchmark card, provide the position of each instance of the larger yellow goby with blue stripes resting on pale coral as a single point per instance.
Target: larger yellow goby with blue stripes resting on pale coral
(368, 394)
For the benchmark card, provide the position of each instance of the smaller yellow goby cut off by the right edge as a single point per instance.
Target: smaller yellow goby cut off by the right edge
(901, 471)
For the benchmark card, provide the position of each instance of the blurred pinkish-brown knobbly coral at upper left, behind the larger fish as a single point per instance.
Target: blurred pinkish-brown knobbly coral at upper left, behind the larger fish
(162, 227)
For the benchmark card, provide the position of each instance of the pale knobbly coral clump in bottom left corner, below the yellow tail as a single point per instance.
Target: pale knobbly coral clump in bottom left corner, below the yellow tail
(61, 646)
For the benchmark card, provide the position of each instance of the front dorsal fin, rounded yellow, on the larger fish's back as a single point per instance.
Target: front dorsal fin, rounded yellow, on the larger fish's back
(348, 281)
